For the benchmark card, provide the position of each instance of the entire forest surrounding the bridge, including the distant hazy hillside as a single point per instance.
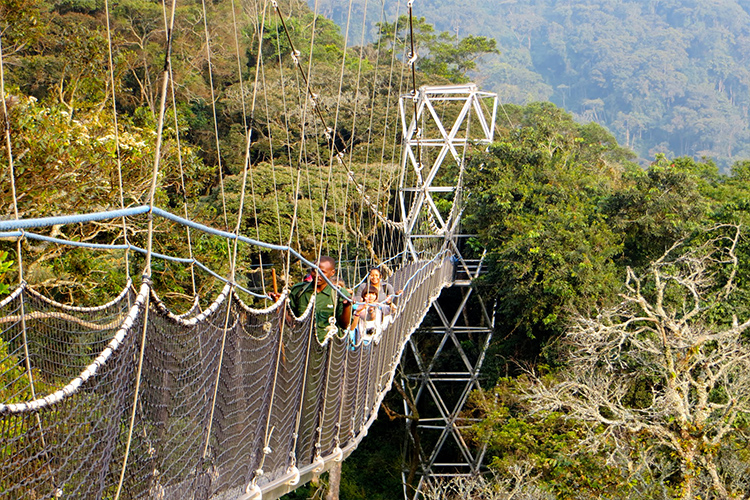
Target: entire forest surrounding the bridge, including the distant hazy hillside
(568, 217)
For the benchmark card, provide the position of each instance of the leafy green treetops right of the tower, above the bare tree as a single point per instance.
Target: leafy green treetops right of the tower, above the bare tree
(569, 211)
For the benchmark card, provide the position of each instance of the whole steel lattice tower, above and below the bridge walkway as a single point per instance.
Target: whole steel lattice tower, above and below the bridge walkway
(442, 361)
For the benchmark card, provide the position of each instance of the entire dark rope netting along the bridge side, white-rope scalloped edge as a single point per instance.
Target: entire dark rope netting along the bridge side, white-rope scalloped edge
(227, 398)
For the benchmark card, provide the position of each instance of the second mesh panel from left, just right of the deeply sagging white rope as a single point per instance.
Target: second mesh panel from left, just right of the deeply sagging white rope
(179, 367)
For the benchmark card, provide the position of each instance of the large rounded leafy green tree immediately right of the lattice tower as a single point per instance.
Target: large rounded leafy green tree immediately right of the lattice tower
(551, 247)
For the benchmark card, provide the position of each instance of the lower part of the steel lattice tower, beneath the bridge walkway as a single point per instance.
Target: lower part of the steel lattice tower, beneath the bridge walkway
(441, 366)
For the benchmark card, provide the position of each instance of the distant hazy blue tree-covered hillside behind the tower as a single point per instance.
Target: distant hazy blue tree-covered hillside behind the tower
(665, 77)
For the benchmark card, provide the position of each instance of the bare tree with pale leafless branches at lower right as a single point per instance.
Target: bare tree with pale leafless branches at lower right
(663, 380)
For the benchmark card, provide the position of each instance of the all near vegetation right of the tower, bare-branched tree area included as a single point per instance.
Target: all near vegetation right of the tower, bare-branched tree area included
(564, 215)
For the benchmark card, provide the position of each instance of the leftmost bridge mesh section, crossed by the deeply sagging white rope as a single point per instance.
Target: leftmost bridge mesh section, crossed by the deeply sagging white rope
(71, 447)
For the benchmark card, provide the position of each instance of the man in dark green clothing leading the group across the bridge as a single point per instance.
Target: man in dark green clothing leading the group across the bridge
(331, 310)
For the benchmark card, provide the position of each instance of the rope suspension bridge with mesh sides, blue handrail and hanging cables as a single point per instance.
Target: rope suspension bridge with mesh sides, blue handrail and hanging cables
(235, 397)
